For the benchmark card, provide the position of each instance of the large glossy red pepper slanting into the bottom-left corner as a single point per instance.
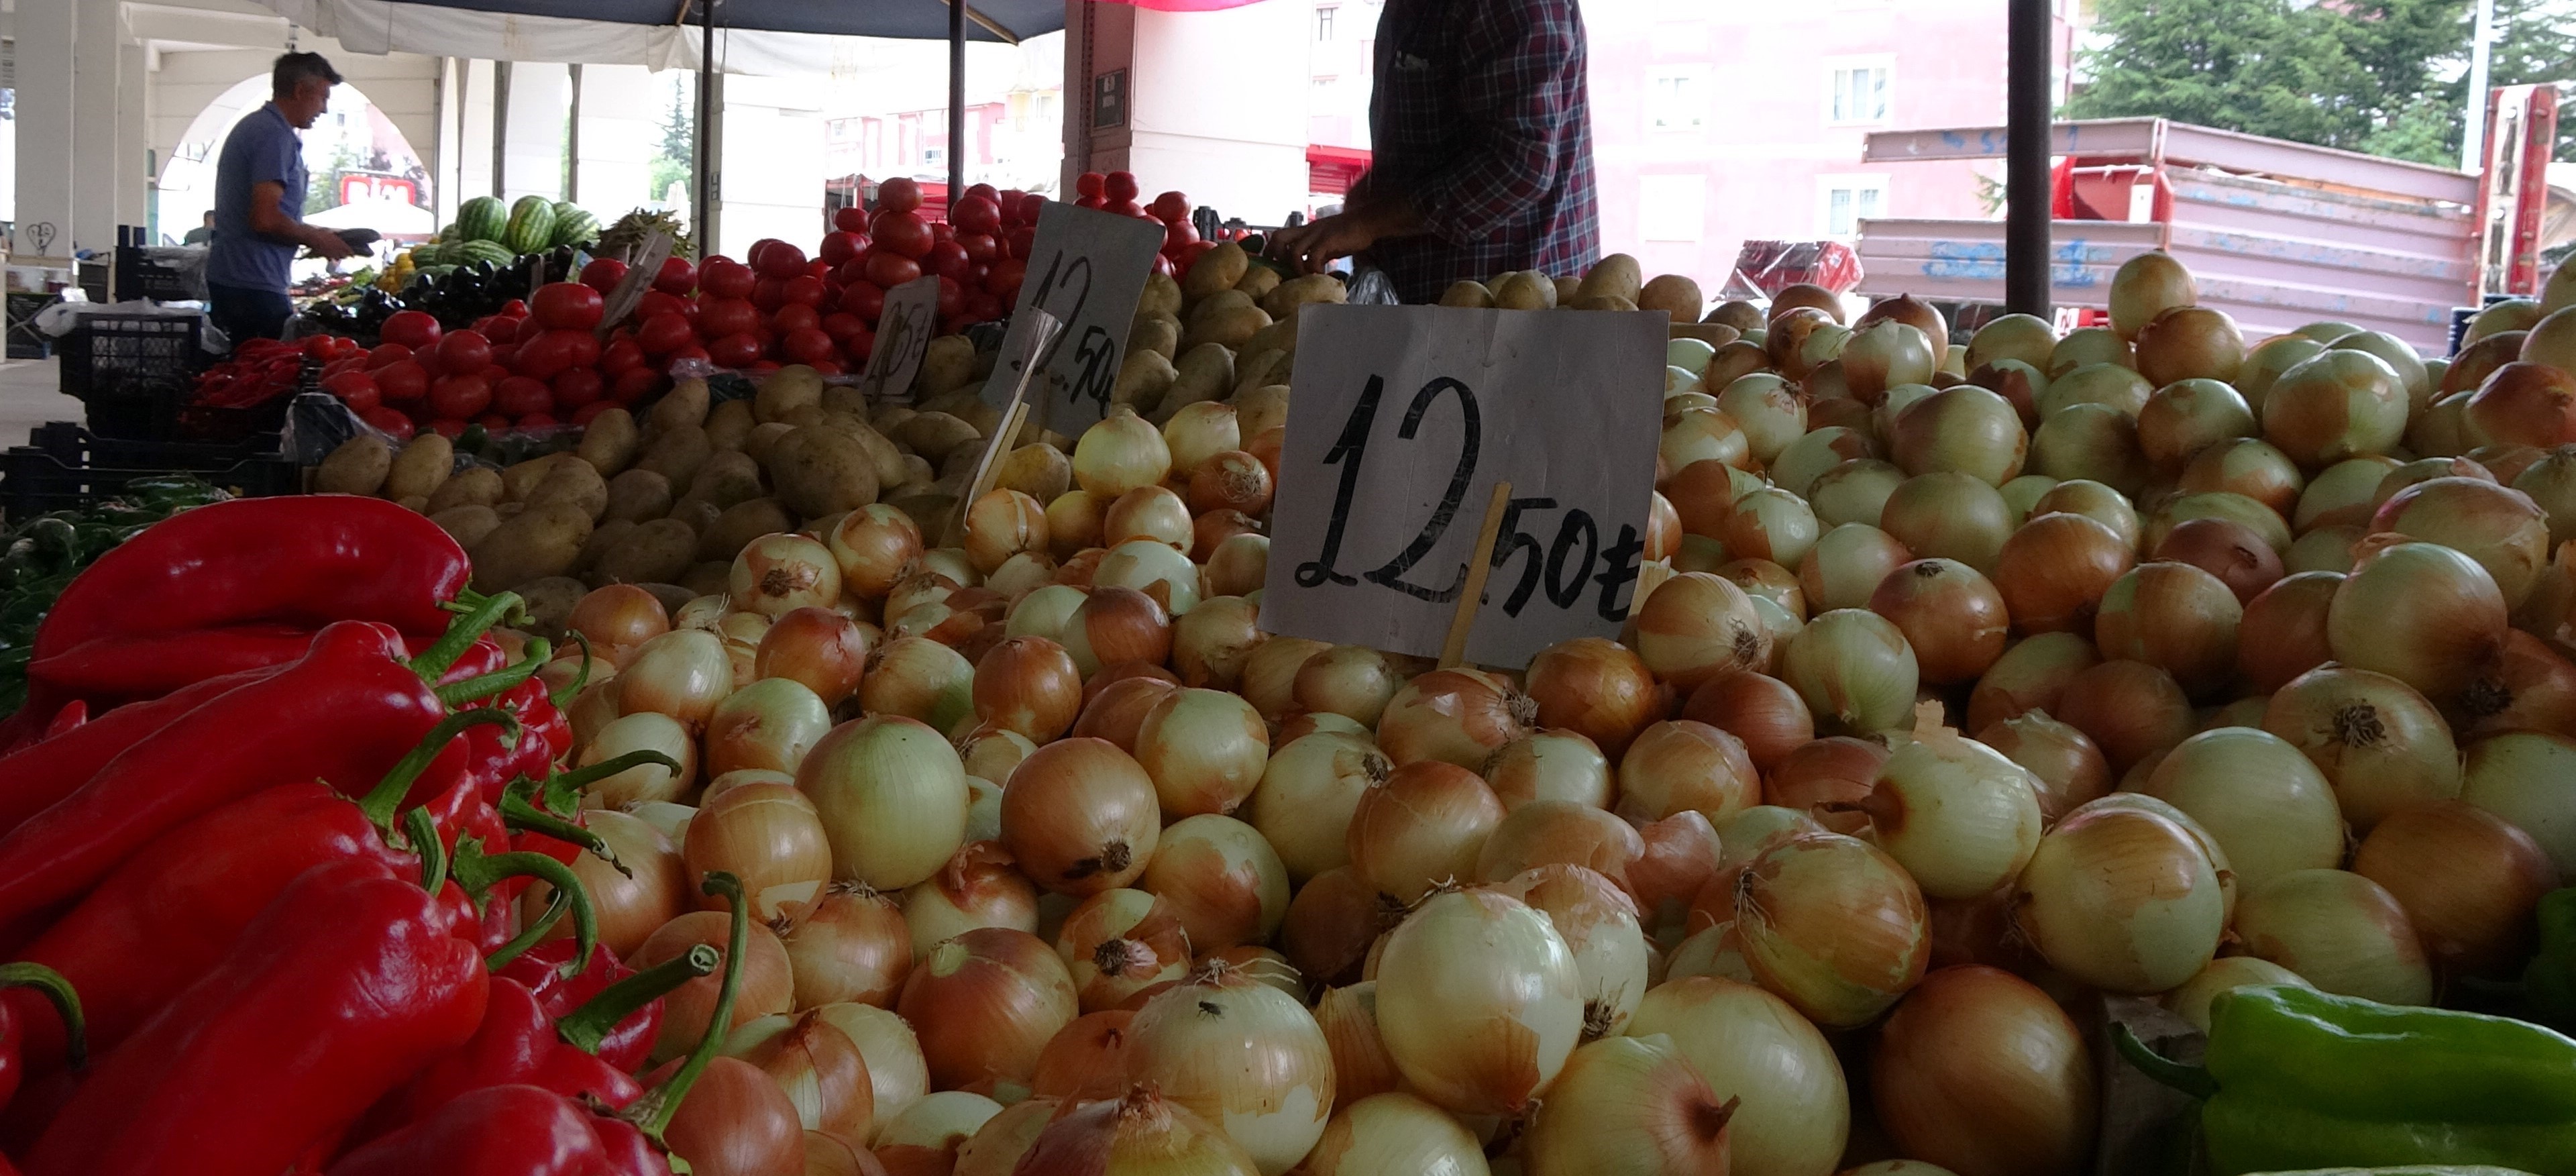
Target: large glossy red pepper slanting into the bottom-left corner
(349, 984)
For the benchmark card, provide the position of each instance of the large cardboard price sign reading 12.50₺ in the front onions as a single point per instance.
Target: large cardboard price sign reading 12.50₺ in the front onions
(1403, 423)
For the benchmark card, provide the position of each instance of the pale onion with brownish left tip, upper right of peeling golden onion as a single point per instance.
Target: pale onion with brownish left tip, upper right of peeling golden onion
(1956, 814)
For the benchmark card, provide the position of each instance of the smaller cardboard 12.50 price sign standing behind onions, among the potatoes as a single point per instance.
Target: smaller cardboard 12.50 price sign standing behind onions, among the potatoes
(1086, 269)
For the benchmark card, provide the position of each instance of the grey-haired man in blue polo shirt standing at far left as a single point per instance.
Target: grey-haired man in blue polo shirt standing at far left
(259, 205)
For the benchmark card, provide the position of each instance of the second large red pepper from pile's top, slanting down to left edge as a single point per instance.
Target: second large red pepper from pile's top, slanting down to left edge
(344, 717)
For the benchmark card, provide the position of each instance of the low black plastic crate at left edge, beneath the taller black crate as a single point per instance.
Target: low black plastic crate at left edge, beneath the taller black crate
(66, 467)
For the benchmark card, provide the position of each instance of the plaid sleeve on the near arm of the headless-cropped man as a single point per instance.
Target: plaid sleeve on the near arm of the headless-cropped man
(1521, 94)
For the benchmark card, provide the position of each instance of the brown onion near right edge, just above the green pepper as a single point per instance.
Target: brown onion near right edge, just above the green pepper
(2467, 879)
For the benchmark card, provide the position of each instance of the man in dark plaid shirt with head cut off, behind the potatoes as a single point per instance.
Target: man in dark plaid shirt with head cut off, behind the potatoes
(1482, 143)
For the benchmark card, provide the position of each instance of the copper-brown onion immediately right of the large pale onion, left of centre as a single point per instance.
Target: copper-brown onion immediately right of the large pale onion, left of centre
(1081, 817)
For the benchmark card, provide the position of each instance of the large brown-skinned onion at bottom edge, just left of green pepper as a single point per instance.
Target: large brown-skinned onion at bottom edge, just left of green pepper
(1982, 1072)
